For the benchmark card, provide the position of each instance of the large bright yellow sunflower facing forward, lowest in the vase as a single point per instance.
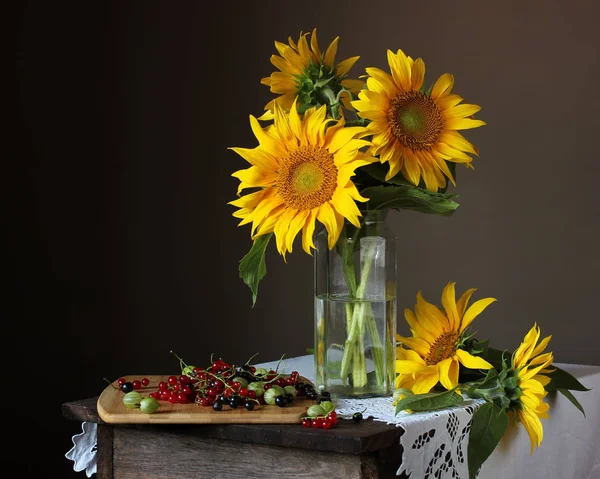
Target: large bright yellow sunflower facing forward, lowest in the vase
(303, 173)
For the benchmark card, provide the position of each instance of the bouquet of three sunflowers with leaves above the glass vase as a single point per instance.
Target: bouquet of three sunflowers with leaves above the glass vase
(332, 147)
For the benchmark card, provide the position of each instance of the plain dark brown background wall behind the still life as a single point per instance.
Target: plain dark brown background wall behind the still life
(124, 247)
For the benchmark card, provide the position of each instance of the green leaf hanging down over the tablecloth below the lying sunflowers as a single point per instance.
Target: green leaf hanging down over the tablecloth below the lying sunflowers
(488, 426)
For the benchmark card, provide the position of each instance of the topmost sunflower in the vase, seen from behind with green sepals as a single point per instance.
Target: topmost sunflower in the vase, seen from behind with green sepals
(308, 74)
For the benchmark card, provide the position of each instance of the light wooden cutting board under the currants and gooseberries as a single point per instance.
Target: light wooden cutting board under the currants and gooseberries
(112, 410)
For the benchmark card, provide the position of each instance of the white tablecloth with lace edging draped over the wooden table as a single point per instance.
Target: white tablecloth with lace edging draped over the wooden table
(435, 443)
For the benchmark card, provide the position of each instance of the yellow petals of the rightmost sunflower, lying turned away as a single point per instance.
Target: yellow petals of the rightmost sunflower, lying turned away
(529, 364)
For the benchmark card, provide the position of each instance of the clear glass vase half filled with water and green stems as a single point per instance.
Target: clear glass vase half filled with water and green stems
(355, 309)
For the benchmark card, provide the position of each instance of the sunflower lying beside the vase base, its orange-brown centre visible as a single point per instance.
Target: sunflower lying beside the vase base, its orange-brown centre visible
(434, 353)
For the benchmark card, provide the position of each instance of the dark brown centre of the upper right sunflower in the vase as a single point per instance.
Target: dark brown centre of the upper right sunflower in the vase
(415, 120)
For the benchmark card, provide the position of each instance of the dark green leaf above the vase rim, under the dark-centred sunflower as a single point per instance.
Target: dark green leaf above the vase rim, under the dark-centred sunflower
(409, 198)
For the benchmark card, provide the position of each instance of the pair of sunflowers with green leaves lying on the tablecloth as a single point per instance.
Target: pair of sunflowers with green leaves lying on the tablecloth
(444, 361)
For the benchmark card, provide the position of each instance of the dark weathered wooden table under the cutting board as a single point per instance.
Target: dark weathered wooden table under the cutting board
(368, 449)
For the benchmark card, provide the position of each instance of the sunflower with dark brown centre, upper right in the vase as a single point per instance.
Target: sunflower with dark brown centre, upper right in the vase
(416, 132)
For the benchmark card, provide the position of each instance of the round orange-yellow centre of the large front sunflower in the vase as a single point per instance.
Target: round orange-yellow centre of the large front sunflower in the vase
(307, 177)
